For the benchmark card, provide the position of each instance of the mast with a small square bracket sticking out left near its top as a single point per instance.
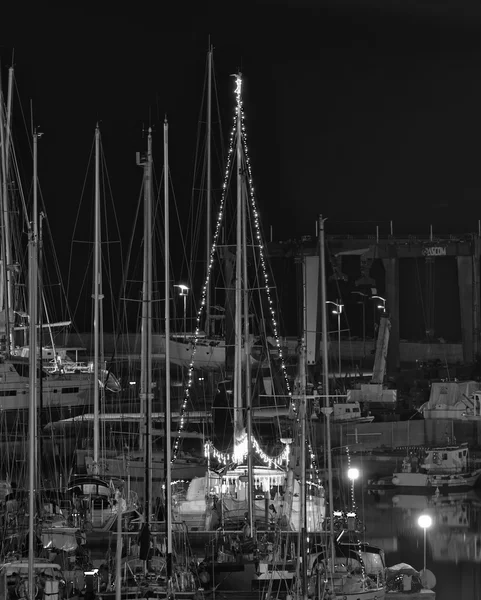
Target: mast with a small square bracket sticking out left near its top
(146, 342)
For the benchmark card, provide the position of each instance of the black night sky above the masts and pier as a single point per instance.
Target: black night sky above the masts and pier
(362, 111)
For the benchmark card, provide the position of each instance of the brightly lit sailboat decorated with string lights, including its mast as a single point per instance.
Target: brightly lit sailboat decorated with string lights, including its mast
(252, 502)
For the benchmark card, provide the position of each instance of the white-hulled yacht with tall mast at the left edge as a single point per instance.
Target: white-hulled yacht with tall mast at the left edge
(63, 393)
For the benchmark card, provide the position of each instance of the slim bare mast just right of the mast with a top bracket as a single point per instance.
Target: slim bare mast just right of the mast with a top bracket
(168, 408)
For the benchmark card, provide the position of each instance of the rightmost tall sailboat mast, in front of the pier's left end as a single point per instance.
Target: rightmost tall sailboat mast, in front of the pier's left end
(327, 409)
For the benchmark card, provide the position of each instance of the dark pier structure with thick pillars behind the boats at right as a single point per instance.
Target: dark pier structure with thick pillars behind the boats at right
(390, 250)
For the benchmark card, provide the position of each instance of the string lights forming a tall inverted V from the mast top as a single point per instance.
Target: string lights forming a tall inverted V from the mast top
(220, 215)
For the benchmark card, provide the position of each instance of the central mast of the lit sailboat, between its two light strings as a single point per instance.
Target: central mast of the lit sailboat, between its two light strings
(238, 420)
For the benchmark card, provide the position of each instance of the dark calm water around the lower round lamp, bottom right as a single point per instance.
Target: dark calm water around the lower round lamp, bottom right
(453, 541)
